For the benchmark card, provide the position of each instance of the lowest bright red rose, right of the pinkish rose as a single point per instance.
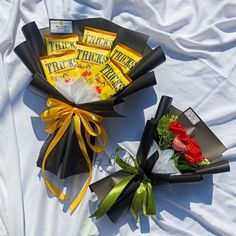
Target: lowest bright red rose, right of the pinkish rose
(193, 153)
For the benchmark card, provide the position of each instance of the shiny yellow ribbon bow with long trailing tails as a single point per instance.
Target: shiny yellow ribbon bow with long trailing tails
(59, 116)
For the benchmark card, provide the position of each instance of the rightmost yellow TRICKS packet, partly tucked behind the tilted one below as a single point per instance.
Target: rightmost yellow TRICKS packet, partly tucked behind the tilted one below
(125, 57)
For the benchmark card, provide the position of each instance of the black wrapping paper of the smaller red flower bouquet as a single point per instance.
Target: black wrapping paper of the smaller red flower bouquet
(149, 135)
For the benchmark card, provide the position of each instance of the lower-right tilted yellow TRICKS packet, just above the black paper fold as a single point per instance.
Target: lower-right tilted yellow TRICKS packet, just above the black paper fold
(110, 80)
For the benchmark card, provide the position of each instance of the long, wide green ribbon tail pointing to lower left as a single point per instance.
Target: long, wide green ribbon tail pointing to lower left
(112, 196)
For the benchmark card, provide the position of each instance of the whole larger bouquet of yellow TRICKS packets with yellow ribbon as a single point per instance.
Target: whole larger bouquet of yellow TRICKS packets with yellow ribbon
(83, 68)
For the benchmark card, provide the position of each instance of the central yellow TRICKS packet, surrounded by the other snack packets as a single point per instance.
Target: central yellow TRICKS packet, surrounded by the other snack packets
(90, 59)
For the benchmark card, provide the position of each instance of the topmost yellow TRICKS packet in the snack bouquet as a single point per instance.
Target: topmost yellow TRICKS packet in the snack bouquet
(98, 37)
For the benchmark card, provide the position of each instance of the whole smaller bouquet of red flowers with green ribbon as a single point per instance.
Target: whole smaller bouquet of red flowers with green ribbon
(176, 147)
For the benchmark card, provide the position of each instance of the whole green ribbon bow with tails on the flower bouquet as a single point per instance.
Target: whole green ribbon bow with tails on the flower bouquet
(143, 197)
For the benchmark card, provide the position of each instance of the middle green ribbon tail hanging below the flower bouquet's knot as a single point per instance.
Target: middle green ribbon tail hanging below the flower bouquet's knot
(138, 200)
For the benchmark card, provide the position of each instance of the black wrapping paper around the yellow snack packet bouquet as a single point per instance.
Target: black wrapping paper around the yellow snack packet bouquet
(66, 155)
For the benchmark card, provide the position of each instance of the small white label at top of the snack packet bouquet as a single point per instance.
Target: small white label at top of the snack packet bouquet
(61, 26)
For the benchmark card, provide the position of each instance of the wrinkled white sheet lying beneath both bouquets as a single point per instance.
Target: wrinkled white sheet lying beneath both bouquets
(199, 40)
